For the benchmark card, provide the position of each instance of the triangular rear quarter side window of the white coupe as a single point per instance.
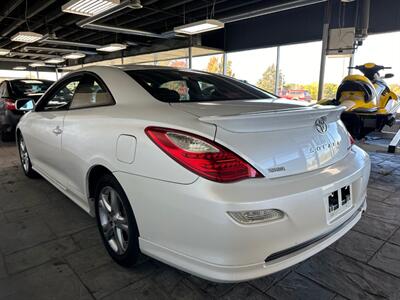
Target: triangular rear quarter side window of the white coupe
(91, 93)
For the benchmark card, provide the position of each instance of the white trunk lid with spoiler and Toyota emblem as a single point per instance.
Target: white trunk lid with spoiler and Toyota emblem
(278, 137)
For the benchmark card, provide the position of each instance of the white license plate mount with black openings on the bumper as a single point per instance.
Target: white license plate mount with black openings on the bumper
(339, 202)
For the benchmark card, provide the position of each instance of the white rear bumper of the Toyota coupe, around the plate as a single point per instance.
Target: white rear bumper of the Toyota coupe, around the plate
(187, 225)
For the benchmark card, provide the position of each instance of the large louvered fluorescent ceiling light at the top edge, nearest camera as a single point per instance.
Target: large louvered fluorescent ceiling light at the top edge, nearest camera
(89, 7)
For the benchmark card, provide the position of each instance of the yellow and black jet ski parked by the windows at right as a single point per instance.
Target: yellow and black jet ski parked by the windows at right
(370, 104)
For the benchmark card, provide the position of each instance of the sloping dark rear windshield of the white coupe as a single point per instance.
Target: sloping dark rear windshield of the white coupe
(189, 86)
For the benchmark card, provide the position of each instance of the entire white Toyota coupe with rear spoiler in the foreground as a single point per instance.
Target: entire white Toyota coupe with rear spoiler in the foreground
(203, 172)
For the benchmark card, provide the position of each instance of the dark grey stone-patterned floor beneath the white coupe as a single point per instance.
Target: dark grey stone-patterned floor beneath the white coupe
(50, 249)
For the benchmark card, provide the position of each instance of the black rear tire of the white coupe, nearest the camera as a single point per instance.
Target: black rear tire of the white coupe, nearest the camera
(132, 251)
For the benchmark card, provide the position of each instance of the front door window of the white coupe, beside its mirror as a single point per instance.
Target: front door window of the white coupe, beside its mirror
(62, 98)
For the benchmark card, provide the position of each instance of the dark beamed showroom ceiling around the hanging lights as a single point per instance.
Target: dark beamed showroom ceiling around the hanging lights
(155, 17)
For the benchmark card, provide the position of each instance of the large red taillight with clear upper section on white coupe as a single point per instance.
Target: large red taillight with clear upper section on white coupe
(202, 156)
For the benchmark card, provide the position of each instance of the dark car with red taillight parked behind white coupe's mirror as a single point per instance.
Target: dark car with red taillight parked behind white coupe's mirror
(12, 90)
